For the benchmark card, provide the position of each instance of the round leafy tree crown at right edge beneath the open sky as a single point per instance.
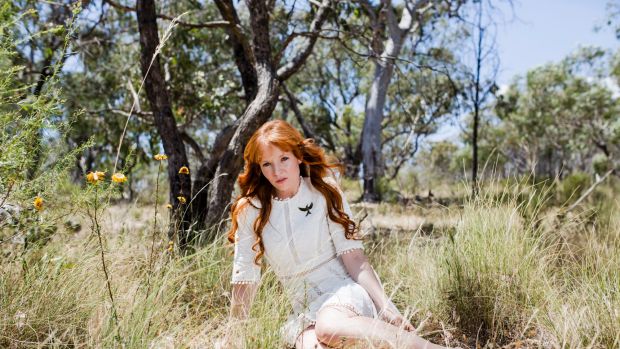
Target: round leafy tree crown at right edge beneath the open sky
(562, 114)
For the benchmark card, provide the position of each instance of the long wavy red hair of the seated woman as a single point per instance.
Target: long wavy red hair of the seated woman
(314, 164)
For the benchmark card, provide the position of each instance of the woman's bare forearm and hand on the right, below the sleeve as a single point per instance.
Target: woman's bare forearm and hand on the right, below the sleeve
(361, 271)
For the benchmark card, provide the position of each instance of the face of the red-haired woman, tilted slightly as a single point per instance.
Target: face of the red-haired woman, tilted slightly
(281, 168)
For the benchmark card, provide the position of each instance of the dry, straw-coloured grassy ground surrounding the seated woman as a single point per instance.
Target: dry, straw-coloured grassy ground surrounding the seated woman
(502, 270)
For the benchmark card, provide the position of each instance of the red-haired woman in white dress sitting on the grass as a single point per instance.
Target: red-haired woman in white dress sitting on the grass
(292, 213)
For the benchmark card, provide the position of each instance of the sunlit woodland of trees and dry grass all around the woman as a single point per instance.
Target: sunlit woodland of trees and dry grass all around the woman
(506, 235)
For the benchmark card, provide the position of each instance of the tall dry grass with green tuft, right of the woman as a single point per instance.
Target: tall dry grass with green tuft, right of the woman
(512, 272)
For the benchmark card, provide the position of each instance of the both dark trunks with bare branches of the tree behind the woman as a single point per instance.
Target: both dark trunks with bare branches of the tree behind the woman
(262, 67)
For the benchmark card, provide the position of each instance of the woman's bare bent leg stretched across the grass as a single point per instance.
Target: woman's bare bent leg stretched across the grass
(338, 326)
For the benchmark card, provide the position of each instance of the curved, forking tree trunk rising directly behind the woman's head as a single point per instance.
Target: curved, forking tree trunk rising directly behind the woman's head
(222, 170)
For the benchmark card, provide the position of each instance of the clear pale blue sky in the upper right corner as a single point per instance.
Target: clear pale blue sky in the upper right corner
(546, 31)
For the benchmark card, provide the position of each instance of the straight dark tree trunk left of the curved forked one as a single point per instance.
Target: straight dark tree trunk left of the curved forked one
(159, 100)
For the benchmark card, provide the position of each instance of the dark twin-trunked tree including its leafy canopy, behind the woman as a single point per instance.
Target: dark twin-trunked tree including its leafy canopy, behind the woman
(200, 95)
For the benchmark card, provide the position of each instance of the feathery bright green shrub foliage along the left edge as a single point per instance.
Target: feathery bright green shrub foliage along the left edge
(32, 158)
